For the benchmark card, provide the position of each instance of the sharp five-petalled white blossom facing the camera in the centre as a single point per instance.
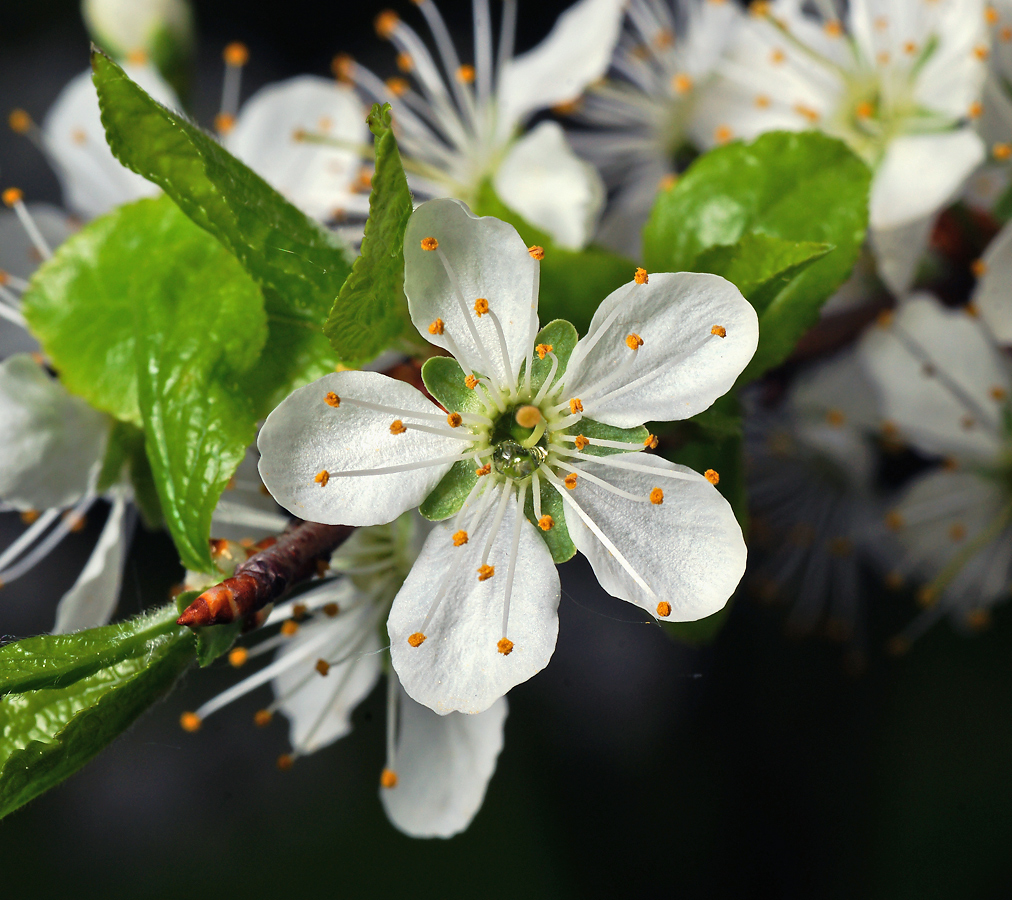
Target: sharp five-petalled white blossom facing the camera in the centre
(532, 458)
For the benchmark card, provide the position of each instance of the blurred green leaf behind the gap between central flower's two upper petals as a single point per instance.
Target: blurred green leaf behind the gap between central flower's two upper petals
(573, 282)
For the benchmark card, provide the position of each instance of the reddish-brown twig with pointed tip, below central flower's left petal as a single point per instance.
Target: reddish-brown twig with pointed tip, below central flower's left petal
(267, 576)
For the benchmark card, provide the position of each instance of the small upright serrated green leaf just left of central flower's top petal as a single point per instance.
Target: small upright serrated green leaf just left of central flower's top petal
(372, 311)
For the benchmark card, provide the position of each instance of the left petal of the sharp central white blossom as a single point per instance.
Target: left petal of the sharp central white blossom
(305, 436)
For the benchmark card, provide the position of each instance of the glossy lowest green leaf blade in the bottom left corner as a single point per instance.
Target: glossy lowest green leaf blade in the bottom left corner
(47, 735)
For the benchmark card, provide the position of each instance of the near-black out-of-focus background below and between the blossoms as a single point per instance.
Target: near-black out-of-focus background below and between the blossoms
(755, 768)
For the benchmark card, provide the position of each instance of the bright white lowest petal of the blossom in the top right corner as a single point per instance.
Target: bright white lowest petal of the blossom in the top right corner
(920, 175)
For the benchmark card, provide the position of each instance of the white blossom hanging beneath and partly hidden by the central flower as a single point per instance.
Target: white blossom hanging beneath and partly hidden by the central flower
(330, 657)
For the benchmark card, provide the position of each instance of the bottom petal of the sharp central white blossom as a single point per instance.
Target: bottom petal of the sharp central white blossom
(459, 667)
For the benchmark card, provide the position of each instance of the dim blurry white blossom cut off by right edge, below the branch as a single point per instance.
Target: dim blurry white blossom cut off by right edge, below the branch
(946, 387)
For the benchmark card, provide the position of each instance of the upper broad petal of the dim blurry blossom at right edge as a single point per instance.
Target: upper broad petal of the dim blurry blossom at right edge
(947, 397)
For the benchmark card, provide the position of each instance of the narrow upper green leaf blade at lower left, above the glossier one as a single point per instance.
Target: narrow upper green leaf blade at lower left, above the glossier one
(52, 662)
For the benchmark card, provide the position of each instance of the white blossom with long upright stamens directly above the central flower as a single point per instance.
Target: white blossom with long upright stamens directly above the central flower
(461, 127)
